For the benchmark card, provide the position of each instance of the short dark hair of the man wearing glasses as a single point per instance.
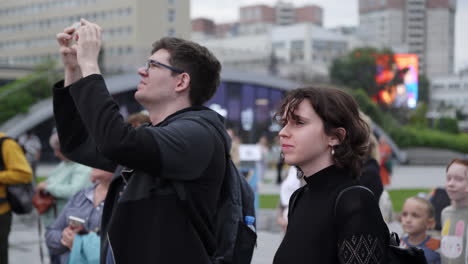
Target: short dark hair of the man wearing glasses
(197, 61)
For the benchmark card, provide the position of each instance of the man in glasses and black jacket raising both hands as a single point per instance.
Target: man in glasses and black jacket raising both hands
(143, 219)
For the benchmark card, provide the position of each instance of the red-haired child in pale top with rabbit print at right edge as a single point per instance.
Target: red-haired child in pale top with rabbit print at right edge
(455, 216)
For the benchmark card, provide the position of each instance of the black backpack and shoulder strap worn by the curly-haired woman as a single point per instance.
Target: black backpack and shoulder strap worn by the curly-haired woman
(395, 254)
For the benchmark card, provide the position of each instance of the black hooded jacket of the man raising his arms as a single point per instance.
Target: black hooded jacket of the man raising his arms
(143, 219)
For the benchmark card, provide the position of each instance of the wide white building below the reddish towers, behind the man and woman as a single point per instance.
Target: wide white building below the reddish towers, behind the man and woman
(302, 49)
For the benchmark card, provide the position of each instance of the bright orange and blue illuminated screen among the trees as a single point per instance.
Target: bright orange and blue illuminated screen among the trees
(397, 80)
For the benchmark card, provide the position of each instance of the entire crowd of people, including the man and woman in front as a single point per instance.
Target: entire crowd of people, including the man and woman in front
(115, 193)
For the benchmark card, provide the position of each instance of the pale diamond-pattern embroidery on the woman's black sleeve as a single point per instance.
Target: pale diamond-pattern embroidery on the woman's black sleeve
(361, 249)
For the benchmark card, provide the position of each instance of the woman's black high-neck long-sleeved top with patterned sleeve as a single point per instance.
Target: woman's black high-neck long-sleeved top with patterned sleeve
(316, 235)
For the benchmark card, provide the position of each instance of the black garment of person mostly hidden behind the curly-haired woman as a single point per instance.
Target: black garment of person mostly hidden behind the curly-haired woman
(370, 177)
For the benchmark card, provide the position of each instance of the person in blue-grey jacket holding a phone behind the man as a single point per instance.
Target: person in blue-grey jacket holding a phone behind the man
(81, 215)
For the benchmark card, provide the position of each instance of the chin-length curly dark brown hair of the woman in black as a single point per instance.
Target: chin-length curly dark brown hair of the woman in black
(336, 109)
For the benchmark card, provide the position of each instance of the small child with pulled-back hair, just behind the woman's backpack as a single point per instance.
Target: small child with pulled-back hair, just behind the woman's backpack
(416, 218)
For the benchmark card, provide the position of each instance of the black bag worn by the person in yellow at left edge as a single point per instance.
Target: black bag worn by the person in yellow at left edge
(19, 196)
